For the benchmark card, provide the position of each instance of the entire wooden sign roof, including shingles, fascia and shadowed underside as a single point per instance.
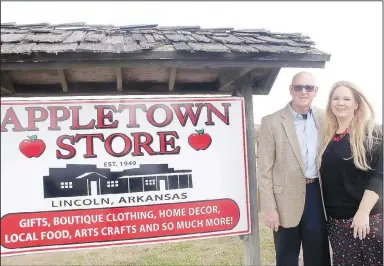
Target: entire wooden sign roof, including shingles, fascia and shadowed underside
(81, 58)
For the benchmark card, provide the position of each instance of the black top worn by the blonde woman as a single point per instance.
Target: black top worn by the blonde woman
(344, 184)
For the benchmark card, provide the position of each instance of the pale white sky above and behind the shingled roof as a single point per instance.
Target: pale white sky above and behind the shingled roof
(350, 31)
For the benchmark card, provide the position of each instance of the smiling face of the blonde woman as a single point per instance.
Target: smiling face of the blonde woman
(343, 104)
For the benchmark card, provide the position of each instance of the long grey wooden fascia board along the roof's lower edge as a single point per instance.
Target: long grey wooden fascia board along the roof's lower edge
(166, 59)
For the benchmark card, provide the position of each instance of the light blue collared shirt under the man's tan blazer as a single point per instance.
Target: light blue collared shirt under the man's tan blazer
(307, 135)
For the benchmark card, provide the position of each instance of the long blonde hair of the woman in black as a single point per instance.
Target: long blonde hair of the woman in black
(362, 130)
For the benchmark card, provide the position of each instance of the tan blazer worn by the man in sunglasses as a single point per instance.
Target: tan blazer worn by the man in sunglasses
(281, 167)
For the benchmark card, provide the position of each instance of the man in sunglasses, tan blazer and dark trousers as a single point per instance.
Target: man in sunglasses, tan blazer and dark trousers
(288, 177)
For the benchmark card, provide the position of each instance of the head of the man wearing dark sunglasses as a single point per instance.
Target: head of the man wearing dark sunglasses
(303, 89)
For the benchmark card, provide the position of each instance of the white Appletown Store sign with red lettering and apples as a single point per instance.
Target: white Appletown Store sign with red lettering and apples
(99, 172)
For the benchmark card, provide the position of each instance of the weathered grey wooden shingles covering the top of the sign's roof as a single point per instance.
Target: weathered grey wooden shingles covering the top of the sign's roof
(82, 38)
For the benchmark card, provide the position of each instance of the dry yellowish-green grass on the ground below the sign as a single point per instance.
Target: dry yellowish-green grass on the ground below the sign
(215, 251)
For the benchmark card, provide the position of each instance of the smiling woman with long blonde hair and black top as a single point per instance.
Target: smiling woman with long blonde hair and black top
(351, 171)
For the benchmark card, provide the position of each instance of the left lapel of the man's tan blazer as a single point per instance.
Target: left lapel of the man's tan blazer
(292, 137)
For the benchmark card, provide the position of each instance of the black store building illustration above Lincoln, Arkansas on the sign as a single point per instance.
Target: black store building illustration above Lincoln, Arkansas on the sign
(88, 180)
